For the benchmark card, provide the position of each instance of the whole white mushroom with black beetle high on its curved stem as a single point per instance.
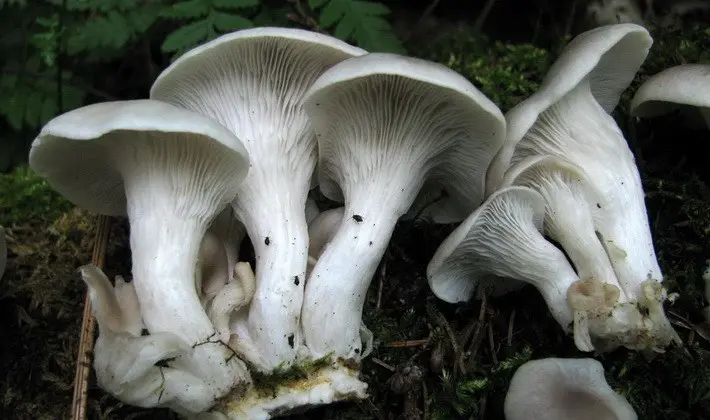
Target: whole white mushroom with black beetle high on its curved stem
(386, 125)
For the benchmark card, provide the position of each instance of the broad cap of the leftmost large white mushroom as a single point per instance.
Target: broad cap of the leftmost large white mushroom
(77, 152)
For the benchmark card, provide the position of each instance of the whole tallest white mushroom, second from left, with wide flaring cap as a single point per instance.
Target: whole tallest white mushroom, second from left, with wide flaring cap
(253, 82)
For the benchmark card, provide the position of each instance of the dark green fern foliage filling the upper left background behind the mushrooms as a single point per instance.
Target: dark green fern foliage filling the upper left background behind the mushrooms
(53, 50)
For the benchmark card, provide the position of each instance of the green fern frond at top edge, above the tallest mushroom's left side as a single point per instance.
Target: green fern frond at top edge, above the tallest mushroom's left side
(205, 20)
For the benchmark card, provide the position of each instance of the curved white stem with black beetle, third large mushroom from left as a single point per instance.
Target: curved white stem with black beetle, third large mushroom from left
(337, 285)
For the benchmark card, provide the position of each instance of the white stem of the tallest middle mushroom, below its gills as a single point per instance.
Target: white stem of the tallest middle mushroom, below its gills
(279, 234)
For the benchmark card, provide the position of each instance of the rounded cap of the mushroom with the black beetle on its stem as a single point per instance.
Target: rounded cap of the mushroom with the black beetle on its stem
(428, 94)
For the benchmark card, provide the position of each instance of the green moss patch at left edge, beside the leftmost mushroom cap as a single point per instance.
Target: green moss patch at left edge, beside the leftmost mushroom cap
(26, 197)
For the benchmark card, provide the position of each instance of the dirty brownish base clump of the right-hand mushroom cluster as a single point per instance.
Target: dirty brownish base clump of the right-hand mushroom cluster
(603, 323)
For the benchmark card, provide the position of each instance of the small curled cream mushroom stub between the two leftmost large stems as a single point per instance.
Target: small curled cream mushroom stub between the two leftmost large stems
(232, 297)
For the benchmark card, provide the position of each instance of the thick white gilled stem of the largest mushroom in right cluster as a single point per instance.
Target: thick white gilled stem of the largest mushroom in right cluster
(597, 145)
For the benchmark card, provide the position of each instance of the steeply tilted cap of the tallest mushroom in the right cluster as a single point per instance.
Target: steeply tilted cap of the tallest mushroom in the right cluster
(608, 56)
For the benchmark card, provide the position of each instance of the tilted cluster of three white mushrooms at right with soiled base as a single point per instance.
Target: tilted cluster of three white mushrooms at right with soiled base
(566, 172)
